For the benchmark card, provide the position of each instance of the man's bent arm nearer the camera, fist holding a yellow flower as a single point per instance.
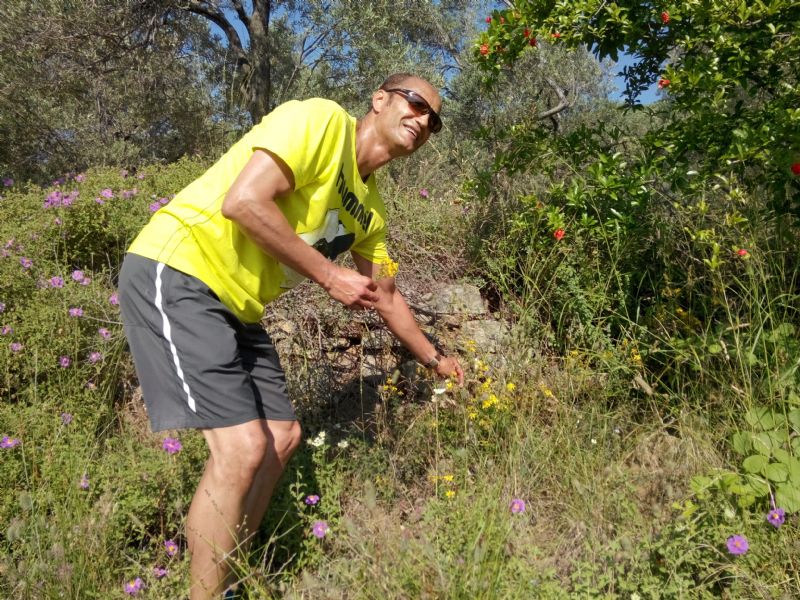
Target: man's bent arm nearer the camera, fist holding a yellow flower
(250, 203)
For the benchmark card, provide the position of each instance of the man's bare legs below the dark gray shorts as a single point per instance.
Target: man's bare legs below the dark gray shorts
(243, 458)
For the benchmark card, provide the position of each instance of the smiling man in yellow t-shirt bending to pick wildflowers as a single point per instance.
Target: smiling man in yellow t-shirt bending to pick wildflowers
(294, 192)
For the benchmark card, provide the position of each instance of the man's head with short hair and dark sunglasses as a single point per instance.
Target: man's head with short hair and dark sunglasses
(406, 111)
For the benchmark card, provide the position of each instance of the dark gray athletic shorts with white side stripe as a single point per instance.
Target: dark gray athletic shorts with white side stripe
(197, 363)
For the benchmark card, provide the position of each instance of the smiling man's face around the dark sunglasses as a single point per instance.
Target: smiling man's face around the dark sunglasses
(406, 126)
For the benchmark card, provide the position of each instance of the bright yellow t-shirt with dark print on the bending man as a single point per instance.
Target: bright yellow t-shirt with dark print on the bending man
(331, 208)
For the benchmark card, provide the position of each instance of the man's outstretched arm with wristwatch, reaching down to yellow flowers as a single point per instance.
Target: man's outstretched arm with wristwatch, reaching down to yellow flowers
(395, 312)
